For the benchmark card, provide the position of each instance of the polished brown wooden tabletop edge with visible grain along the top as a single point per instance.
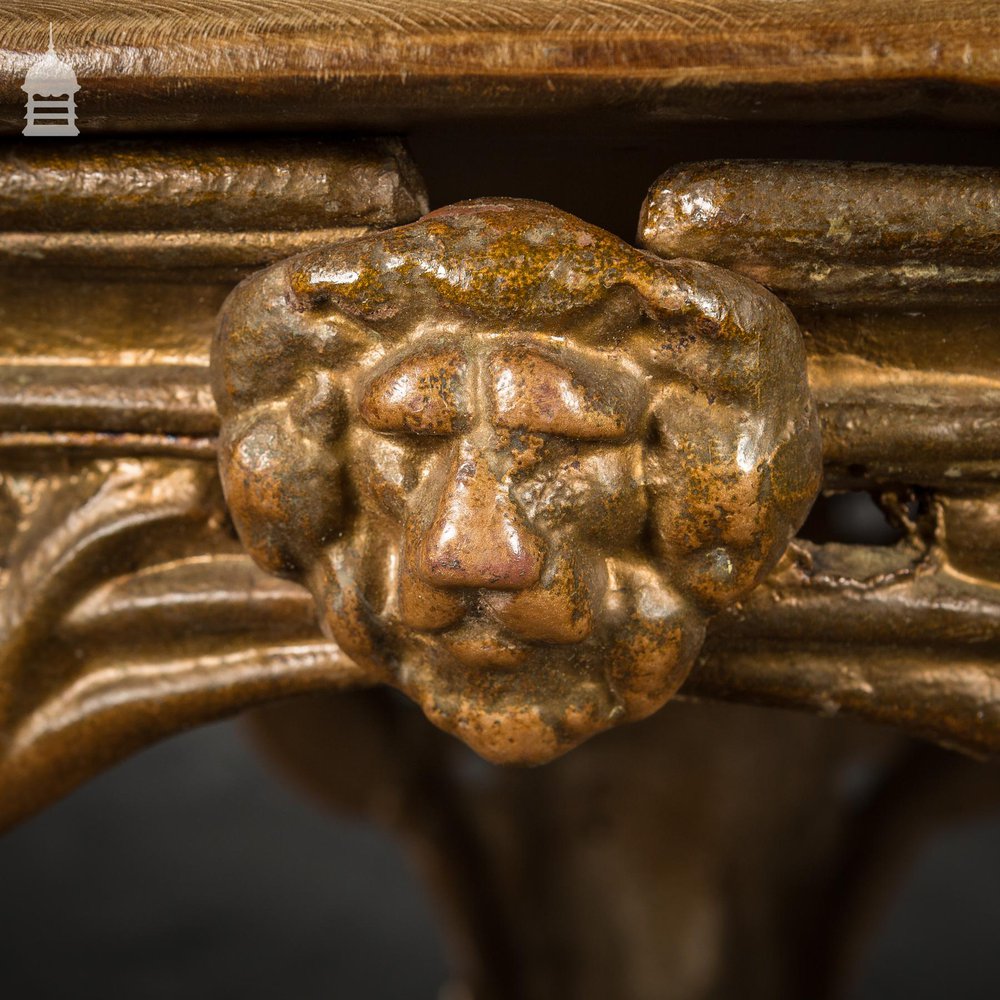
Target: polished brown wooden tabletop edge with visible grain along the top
(331, 63)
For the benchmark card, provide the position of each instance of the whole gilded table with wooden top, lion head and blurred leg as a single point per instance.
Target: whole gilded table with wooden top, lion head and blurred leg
(519, 466)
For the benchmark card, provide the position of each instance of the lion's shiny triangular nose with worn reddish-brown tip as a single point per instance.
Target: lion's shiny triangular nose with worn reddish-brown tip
(478, 537)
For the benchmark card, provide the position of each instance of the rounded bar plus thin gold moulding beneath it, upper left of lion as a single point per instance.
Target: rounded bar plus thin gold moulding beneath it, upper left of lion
(194, 210)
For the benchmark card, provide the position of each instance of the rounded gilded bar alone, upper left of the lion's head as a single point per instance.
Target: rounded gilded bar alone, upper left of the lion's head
(109, 187)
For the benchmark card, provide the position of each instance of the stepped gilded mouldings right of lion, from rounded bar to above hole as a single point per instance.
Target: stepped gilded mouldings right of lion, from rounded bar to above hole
(892, 274)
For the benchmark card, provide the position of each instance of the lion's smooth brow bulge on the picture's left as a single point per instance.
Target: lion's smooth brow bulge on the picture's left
(419, 395)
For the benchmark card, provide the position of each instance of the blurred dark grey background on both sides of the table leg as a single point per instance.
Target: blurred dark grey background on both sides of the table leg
(193, 871)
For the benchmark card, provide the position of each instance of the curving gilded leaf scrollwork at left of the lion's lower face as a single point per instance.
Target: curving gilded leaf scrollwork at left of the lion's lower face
(126, 614)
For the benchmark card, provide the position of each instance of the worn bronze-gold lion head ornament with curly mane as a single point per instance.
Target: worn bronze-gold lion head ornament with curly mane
(517, 462)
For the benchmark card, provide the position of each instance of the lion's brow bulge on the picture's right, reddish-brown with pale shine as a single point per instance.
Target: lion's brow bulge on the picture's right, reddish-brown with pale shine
(533, 394)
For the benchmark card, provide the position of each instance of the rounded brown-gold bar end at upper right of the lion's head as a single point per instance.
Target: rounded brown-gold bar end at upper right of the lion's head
(847, 234)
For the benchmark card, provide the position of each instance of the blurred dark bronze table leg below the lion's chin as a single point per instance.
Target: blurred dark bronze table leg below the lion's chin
(712, 851)
